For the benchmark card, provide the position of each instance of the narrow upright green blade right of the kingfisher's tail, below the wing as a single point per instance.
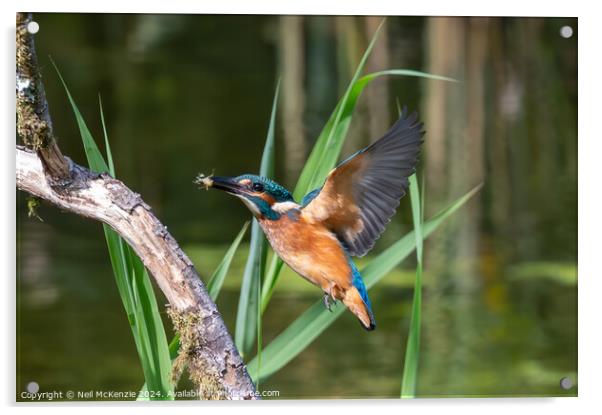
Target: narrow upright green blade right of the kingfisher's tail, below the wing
(410, 367)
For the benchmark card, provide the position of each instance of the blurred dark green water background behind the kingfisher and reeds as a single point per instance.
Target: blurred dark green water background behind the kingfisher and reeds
(189, 94)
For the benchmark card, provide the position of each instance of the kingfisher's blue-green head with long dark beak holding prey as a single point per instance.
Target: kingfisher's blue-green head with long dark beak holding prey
(265, 198)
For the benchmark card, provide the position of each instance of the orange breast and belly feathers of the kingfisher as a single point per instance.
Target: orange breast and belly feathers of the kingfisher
(312, 251)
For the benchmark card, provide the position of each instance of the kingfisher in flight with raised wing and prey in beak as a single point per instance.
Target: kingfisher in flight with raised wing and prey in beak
(341, 219)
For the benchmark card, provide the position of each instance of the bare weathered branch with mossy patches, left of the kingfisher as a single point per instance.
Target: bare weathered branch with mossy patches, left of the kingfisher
(213, 360)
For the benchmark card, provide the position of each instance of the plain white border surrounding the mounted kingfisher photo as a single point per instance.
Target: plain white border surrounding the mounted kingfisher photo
(590, 289)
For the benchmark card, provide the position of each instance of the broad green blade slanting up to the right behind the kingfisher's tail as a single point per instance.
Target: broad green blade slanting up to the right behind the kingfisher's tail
(298, 335)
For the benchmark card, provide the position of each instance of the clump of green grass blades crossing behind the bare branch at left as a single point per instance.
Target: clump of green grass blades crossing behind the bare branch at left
(132, 281)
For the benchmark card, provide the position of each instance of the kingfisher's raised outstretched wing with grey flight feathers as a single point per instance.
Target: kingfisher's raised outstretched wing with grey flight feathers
(361, 194)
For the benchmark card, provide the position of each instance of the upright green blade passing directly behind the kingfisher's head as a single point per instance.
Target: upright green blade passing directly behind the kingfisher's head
(249, 301)
